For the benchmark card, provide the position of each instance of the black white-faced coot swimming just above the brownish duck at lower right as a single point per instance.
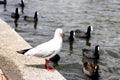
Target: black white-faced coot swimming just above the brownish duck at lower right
(91, 54)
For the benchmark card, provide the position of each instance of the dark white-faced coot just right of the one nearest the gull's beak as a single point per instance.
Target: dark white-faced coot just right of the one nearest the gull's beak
(82, 34)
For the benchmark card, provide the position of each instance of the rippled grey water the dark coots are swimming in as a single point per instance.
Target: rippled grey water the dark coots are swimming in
(103, 15)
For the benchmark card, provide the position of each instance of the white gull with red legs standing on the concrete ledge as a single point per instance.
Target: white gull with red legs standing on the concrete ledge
(47, 49)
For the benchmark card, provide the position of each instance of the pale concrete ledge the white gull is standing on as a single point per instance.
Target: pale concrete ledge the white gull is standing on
(19, 67)
